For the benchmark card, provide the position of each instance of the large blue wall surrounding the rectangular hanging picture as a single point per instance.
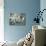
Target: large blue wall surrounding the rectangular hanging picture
(29, 7)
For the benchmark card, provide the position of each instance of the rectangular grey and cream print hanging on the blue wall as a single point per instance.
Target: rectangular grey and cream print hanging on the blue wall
(17, 19)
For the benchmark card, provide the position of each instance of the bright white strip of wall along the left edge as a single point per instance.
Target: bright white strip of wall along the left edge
(1, 21)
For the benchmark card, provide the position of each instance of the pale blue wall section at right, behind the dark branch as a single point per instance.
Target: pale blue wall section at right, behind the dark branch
(43, 6)
